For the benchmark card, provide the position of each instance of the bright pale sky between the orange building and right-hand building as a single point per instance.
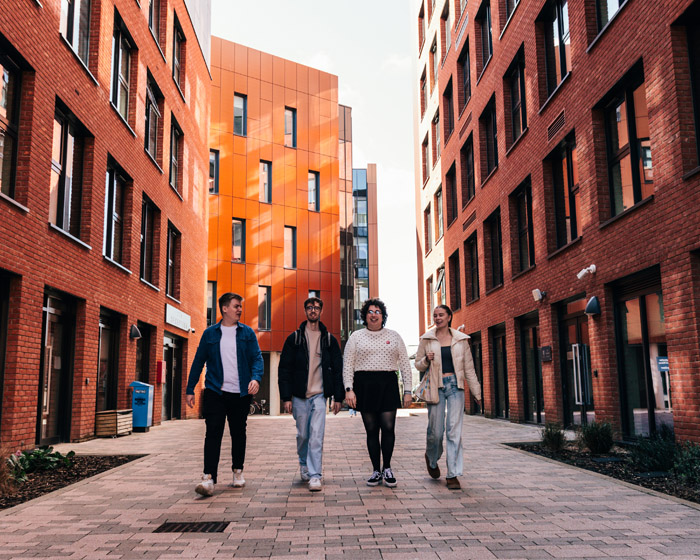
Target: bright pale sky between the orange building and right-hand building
(368, 45)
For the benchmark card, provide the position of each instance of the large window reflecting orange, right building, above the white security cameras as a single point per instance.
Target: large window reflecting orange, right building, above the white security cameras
(630, 169)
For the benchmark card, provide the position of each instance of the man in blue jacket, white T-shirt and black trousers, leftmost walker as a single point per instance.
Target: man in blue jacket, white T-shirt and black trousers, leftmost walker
(234, 371)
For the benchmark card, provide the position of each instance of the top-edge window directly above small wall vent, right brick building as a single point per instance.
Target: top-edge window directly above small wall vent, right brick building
(557, 43)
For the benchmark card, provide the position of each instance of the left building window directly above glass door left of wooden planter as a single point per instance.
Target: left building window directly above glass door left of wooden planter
(66, 187)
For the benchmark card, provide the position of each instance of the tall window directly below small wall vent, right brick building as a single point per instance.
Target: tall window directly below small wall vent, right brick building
(567, 203)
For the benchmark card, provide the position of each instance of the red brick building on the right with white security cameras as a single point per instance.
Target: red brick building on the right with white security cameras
(567, 138)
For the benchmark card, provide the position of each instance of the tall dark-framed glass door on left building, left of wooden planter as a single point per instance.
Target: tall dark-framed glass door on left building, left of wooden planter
(55, 383)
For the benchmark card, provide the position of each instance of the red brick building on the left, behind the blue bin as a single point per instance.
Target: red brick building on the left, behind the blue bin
(104, 148)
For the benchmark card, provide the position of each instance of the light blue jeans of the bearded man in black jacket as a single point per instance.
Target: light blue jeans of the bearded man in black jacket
(310, 415)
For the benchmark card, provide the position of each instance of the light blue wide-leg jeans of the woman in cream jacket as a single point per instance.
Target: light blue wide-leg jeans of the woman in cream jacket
(449, 410)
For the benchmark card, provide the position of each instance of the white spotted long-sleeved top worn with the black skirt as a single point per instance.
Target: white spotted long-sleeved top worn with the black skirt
(382, 350)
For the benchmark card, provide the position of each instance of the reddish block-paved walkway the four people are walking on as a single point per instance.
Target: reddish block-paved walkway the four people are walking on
(512, 506)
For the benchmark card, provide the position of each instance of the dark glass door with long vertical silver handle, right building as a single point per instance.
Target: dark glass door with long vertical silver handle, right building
(576, 360)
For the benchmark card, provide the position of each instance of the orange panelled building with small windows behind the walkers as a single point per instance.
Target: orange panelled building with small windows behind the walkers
(273, 204)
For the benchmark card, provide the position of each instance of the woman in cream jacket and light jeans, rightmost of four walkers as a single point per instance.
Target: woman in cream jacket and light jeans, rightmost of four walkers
(444, 352)
